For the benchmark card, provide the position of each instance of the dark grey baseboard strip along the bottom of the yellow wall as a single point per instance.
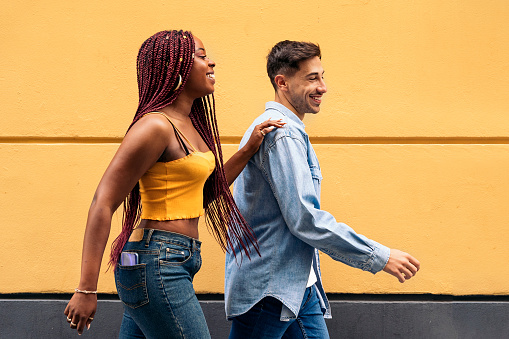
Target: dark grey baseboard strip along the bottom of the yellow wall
(41, 316)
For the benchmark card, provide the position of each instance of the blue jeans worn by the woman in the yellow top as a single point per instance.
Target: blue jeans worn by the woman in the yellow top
(157, 293)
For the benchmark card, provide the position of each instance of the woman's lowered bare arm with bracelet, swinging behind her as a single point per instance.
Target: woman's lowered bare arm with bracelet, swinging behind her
(140, 149)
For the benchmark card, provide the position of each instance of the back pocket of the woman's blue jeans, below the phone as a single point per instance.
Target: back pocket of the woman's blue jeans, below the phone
(132, 285)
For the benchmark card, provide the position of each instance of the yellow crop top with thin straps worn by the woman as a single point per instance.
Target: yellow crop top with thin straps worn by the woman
(174, 189)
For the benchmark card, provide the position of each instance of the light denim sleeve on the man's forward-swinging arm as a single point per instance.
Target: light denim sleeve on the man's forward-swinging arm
(285, 166)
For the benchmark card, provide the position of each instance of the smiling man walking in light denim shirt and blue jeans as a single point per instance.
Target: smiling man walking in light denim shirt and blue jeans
(280, 294)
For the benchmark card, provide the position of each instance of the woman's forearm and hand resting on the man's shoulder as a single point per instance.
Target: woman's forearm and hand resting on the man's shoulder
(238, 161)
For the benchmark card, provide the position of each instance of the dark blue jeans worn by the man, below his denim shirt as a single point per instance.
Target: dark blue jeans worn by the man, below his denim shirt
(262, 320)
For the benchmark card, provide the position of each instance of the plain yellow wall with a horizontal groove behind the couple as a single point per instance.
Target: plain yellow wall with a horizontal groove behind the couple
(412, 136)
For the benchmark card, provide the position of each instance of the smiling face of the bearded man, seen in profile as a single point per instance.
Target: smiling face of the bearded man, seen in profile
(306, 87)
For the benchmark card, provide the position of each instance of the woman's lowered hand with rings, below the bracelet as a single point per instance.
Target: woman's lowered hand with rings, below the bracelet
(80, 311)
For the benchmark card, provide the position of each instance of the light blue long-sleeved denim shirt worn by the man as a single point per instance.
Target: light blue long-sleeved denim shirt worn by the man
(278, 193)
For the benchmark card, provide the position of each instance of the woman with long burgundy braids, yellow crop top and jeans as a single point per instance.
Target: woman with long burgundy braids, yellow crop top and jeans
(167, 170)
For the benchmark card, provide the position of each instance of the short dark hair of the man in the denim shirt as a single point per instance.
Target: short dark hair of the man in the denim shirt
(285, 56)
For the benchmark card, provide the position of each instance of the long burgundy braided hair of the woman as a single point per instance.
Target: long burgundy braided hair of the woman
(164, 60)
